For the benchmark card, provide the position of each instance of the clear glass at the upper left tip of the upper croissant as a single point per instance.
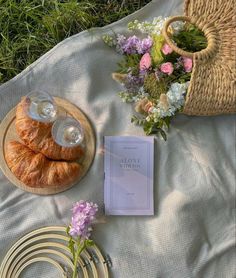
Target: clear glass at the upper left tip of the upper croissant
(40, 106)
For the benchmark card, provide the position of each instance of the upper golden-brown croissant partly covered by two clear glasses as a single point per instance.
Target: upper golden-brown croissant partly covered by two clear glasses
(37, 136)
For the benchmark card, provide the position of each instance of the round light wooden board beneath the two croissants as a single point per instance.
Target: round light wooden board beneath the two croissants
(8, 133)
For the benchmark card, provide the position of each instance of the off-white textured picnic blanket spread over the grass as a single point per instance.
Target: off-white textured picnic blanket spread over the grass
(192, 233)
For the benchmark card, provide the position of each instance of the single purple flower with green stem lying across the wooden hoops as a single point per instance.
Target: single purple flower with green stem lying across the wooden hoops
(79, 231)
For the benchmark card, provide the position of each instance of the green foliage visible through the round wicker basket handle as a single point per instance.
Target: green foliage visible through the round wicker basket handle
(190, 39)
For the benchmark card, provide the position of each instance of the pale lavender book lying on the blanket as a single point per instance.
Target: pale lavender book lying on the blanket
(128, 167)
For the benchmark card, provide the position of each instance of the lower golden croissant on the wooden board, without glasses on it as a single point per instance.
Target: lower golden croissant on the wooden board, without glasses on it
(36, 170)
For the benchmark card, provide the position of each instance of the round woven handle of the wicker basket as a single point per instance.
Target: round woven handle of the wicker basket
(208, 30)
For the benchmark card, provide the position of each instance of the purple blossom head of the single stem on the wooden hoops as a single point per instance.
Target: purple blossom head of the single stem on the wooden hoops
(82, 218)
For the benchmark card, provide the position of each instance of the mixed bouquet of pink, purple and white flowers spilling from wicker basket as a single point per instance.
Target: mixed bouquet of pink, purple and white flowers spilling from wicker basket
(154, 77)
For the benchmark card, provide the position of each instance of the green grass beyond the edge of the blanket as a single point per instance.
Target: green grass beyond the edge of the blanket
(29, 28)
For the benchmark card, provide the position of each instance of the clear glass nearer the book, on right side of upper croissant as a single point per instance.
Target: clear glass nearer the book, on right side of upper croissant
(67, 132)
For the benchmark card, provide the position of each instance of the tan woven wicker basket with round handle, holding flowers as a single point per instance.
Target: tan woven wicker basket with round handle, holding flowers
(212, 87)
